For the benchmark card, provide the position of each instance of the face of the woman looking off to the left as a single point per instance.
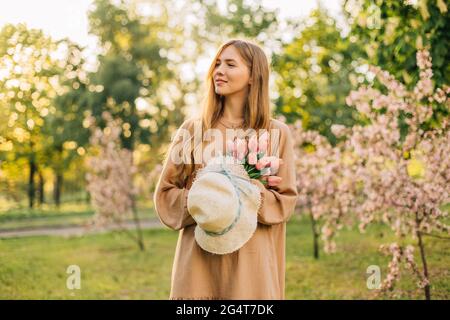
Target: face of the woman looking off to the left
(232, 70)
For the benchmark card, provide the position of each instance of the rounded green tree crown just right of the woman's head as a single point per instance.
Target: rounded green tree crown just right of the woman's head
(315, 73)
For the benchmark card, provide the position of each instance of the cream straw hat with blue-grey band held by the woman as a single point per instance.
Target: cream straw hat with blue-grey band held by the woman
(224, 203)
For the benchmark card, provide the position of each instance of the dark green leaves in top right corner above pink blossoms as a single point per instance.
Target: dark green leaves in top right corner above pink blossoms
(392, 32)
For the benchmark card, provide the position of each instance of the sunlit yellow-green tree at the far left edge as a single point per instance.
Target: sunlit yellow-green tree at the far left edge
(28, 60)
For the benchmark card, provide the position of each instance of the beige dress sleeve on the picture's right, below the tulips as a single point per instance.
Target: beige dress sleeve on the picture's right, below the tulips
(278, 203)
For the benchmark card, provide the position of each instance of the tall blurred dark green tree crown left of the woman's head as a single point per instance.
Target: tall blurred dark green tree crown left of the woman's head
(131, 67)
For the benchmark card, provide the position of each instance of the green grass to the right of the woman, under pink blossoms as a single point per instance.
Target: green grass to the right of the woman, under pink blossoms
(342, 275)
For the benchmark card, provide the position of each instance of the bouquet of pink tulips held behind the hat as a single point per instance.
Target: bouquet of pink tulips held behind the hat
(252, 156)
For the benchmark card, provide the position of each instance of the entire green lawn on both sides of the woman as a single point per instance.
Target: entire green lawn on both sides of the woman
(113, 268)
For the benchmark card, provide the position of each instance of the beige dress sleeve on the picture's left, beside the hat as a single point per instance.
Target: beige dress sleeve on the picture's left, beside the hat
(169, 200)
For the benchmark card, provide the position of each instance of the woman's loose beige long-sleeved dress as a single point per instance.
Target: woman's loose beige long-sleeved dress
(255, 271)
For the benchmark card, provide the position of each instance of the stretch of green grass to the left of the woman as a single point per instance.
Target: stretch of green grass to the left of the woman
(111, 265)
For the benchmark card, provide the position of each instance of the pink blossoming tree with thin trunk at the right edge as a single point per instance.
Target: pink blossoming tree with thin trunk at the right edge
(405, 178)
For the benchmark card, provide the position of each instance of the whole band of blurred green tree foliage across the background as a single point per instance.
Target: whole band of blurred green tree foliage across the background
(144, 58)
